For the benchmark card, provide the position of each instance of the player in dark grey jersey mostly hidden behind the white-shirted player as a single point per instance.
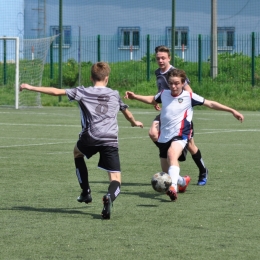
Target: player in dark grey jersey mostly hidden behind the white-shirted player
(163, 59)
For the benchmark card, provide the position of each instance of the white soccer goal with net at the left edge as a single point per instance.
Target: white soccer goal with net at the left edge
(27, 57)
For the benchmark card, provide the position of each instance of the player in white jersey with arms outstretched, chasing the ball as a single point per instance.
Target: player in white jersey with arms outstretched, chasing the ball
(175, 124)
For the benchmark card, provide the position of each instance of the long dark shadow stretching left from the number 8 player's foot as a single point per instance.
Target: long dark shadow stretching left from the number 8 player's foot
(55, 210)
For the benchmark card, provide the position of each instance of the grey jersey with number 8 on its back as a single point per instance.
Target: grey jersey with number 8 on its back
(98, 107)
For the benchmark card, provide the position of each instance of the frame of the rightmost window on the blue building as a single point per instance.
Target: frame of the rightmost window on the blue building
(225, 31)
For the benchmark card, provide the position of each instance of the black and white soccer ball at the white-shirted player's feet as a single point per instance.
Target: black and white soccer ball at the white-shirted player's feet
(161, 182)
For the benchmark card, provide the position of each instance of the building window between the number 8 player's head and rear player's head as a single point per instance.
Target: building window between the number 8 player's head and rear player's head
(129, 37)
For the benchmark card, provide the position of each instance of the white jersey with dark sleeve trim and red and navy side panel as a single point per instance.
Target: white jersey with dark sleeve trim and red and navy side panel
(176, 114)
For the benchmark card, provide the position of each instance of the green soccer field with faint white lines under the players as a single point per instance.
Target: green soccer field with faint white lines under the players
(41, 218)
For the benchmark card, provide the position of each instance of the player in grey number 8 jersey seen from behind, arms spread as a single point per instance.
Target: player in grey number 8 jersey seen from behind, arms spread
(99, 106)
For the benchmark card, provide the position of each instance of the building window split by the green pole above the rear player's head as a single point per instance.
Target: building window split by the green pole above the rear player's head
(181, 37)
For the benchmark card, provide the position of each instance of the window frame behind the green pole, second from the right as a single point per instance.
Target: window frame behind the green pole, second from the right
(179, 30)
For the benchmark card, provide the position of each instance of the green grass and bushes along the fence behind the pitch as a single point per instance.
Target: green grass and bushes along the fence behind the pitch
(231, 86)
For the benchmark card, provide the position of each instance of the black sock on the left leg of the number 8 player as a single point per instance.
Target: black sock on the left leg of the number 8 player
(82, 174)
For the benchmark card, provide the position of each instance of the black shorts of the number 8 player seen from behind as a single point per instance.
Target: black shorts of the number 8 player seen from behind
(108, 156)
